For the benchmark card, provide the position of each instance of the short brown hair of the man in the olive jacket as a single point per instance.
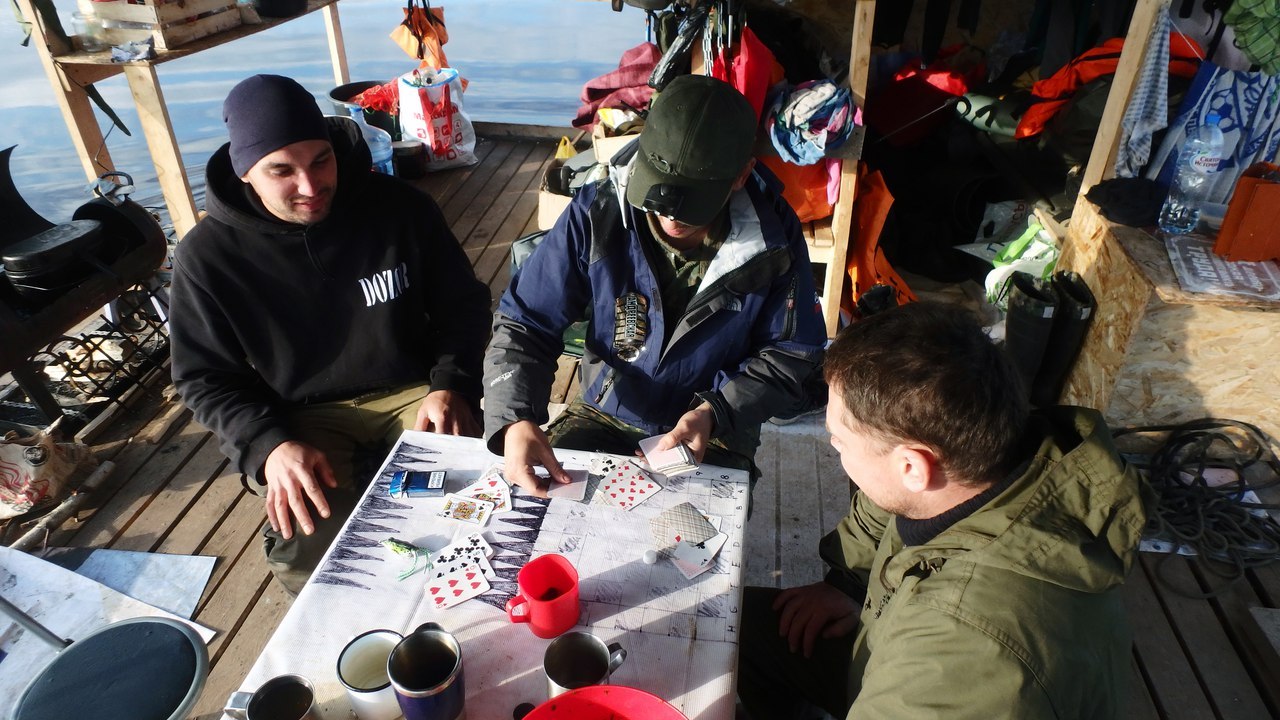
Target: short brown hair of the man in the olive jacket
(929, 373)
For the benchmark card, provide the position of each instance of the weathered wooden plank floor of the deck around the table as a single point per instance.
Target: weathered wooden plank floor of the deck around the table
(1194, 659)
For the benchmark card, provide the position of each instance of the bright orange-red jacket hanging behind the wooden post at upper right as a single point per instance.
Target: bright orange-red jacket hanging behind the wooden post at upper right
(1053, 94)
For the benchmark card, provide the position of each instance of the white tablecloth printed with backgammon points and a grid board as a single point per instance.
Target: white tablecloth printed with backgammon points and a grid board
(680, 636)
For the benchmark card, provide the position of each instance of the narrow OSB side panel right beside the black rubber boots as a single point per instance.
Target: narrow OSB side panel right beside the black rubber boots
(1122, 293)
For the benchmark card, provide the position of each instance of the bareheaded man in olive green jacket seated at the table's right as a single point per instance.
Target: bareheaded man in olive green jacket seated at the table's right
(986, 545)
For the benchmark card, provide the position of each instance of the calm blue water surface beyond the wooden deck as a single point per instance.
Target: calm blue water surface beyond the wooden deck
(527, 61)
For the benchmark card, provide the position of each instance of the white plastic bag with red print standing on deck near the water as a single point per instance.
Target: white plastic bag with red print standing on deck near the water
(431, 110)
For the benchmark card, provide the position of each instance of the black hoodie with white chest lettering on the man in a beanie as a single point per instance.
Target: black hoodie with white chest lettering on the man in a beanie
(267, 316)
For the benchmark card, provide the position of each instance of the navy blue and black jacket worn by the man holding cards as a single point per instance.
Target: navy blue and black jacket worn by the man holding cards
(748, 341)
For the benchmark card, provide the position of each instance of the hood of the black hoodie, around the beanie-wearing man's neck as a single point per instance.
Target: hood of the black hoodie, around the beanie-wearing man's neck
(228, 202)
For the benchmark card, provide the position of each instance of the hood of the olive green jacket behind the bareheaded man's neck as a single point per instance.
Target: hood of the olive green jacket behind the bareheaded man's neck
(1073, 518)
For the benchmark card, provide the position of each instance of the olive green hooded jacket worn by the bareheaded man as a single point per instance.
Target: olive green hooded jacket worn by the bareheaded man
(1013, 612)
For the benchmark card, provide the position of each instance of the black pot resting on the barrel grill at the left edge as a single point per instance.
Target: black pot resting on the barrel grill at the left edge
(54, 261)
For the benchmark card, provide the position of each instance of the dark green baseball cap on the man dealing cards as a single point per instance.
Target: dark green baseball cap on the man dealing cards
(697, 140)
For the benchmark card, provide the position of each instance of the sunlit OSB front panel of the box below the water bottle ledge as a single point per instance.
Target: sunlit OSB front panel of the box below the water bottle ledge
(1190, 362)
